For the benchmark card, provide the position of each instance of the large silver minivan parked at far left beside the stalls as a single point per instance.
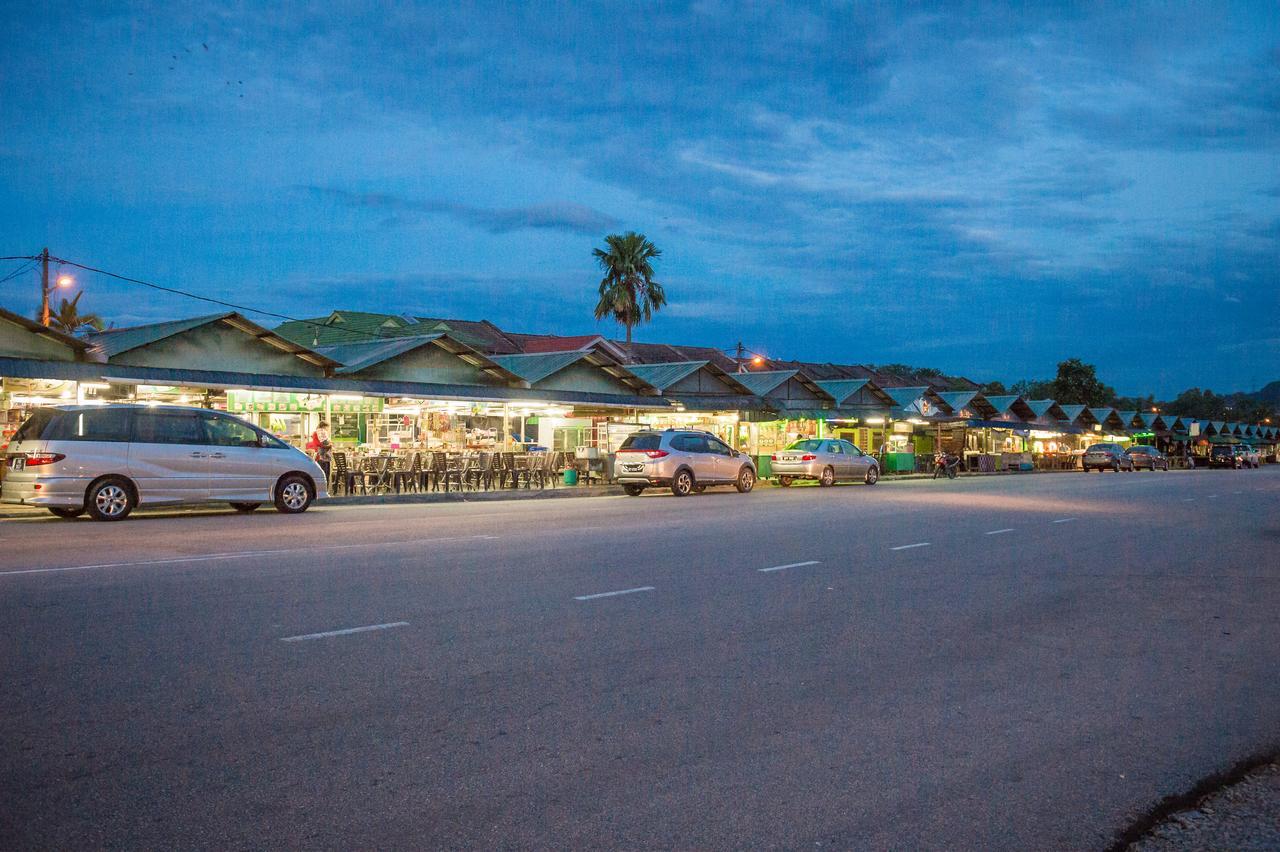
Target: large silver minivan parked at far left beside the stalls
(108, 460)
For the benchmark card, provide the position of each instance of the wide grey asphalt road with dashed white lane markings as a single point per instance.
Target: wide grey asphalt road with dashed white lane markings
(990, 663)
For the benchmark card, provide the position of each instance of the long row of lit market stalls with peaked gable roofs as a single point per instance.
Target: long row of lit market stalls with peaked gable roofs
(436, 392)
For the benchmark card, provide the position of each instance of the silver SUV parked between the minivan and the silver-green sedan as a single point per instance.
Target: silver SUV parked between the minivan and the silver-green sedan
(683, 460)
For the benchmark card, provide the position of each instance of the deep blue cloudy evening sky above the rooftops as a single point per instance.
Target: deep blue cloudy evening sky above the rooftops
(980, 190)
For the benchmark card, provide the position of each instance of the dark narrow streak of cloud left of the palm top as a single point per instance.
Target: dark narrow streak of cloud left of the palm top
(560, 216)
